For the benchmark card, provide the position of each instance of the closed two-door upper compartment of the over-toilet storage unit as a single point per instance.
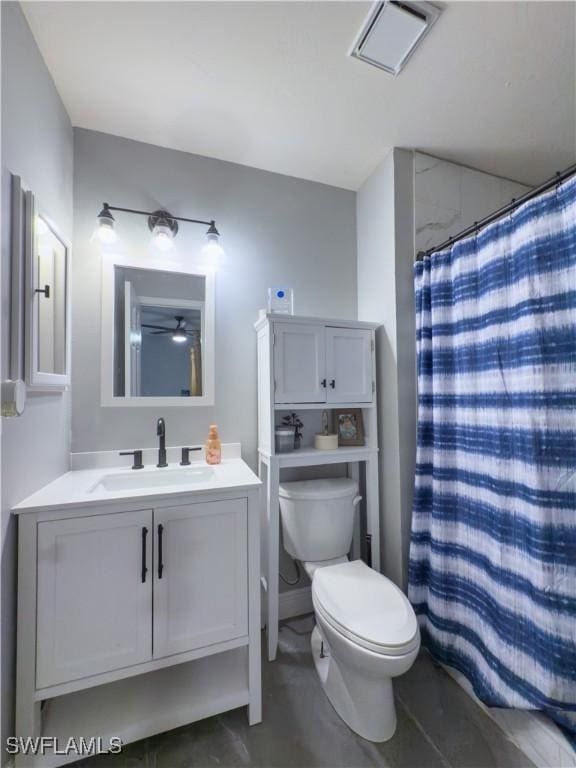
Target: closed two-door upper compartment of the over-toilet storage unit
(316, 363)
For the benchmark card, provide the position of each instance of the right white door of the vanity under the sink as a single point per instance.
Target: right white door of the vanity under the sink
(201, 575)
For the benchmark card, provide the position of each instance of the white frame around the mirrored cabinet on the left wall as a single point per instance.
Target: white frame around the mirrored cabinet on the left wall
(36, 379)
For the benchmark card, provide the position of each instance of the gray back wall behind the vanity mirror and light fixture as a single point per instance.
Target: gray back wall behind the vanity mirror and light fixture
(276, 230)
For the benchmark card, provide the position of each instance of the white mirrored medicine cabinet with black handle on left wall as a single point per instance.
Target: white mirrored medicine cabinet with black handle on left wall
(47, 288)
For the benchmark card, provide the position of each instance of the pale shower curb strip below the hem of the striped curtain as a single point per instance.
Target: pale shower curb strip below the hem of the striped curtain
(532, 732)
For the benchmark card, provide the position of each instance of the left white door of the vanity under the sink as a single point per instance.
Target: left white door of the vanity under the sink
(94, 595)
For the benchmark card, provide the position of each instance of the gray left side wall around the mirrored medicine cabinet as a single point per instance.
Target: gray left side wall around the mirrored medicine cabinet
(37, 144)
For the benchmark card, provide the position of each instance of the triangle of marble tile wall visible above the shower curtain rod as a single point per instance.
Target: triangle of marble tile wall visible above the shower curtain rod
(448, 198)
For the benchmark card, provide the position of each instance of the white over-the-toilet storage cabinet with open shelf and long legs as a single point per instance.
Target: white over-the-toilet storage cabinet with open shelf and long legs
(308, 364)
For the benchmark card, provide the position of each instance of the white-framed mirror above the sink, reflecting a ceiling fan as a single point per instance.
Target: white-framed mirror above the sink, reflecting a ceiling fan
(157, 334)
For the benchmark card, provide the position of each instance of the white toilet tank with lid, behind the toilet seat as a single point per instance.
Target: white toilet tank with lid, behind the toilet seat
(318, 517)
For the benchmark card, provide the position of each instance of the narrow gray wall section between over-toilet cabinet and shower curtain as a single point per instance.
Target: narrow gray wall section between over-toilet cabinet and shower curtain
(385, 232)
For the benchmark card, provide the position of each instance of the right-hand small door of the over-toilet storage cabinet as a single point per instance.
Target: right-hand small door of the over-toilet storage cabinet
(349, 365)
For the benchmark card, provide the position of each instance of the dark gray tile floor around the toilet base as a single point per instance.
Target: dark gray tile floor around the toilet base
(439, 726)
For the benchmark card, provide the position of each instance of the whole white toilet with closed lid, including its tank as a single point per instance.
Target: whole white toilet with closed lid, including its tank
(366, 631)
